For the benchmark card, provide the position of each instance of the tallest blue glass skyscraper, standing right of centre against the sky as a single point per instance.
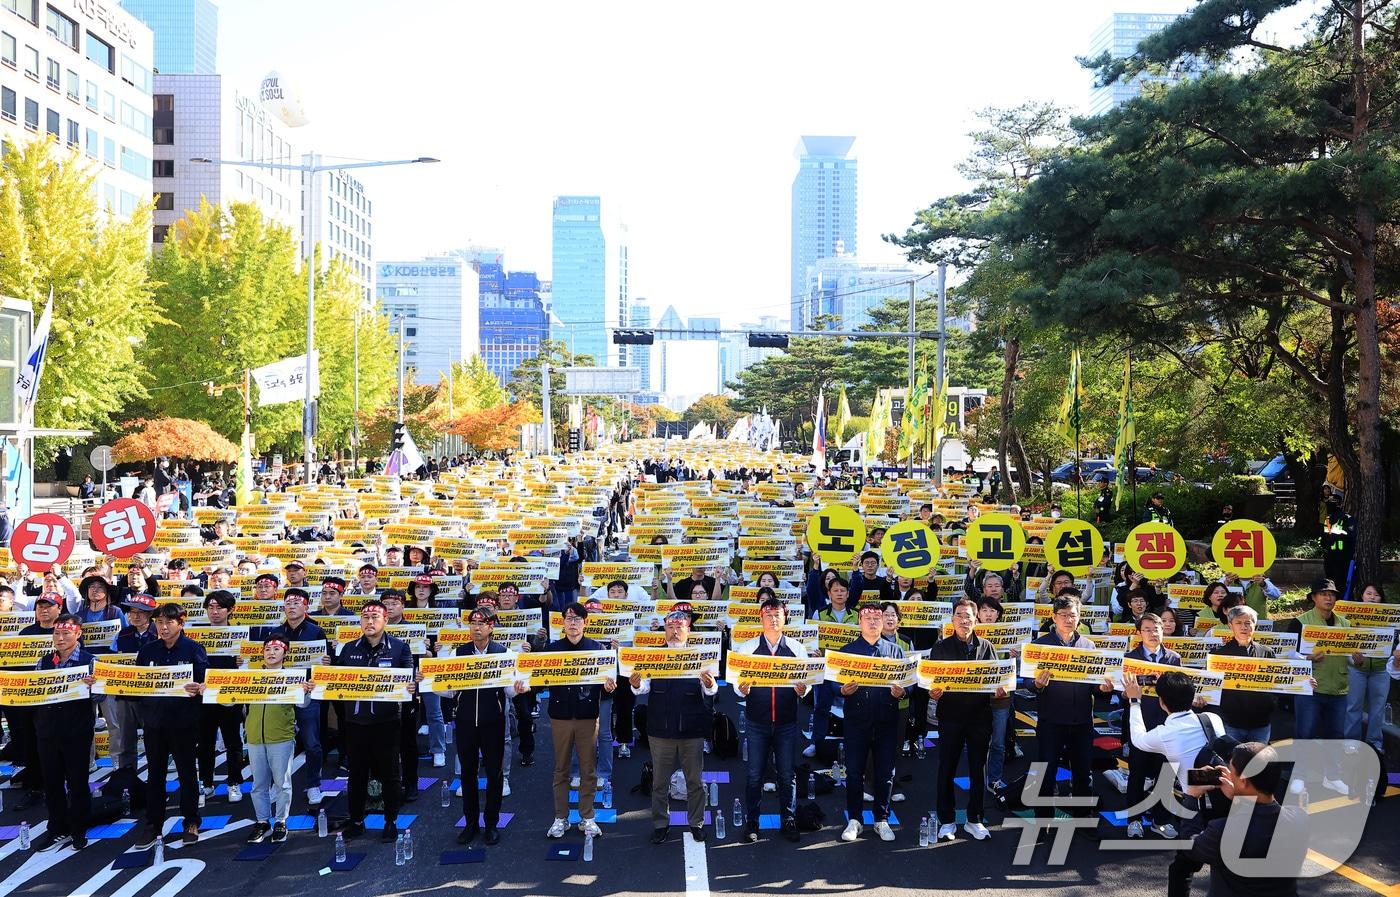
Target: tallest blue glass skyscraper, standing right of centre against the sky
(824, 212)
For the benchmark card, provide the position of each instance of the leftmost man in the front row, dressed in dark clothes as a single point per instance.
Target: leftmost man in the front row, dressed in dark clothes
(65, 740)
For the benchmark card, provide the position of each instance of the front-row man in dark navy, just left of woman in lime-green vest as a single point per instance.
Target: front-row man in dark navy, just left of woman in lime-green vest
(171, 726)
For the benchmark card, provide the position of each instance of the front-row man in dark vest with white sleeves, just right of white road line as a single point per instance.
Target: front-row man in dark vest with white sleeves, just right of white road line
(772, 719)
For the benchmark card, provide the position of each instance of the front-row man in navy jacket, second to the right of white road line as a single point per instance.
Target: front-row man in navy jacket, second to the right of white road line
(873, 727)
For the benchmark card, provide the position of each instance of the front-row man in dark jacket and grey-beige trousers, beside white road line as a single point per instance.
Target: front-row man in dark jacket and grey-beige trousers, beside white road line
(680, 719)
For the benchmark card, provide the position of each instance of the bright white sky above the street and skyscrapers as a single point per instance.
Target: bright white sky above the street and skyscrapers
(685, 118)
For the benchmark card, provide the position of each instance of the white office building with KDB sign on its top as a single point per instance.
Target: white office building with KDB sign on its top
(437, 330)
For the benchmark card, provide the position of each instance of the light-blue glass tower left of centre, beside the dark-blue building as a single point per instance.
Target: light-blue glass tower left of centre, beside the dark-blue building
(582, 304)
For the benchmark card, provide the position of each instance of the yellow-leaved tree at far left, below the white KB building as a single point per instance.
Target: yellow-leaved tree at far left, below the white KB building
(54, 237)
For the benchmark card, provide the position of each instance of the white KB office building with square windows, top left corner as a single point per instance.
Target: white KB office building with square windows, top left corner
(82, 73)
